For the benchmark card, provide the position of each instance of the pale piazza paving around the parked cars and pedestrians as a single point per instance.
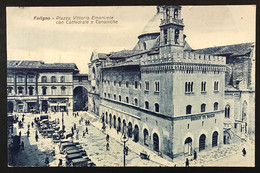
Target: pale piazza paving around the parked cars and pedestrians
(94, 143)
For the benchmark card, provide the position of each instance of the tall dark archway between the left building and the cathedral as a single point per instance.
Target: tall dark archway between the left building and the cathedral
(80, 98)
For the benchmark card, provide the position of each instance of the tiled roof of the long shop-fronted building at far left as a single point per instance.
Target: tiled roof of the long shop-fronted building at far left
(39, 65)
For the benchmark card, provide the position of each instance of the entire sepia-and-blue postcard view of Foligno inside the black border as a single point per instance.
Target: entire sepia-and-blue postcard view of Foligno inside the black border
(131, 86)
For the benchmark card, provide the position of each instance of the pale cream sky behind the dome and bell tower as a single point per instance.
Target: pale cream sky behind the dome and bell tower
(31, 38)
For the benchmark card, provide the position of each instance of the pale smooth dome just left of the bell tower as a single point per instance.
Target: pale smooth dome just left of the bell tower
(153, 25)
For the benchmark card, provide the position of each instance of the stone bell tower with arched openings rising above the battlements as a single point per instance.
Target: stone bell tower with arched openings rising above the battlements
(171, 30)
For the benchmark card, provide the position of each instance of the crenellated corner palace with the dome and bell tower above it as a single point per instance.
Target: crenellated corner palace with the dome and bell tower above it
(161, 93)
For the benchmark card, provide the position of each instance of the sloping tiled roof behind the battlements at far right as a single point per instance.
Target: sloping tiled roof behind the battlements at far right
(232, 50)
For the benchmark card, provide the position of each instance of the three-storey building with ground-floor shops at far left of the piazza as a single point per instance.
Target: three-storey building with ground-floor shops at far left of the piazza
(35, 86)
